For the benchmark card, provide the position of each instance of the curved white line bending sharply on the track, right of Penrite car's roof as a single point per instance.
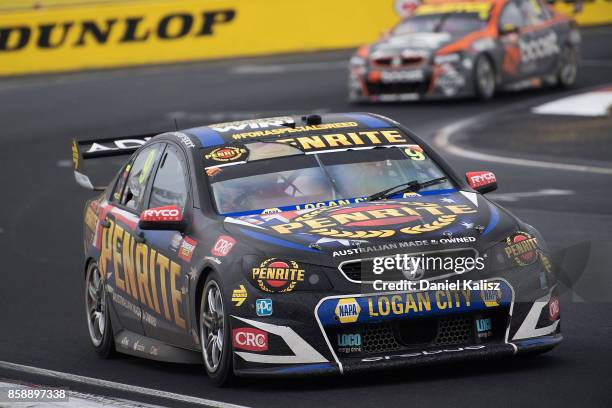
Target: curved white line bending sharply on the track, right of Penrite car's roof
(443, 140)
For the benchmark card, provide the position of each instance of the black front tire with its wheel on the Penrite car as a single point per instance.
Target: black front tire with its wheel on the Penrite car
(222, 374)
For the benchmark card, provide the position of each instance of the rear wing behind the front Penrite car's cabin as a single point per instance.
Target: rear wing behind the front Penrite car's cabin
(99, 148)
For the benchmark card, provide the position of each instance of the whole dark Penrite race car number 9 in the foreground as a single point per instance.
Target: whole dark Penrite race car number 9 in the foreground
(255, 247)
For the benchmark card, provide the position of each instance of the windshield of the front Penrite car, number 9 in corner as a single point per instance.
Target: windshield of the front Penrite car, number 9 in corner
(295, 180)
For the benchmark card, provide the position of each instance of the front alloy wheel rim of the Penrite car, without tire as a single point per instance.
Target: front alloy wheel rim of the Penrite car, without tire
(212, 327)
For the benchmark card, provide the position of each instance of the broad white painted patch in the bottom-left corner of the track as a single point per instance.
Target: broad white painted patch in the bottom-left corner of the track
(73, 399)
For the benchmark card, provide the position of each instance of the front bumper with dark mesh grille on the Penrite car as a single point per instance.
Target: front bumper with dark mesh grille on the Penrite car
(298, 348)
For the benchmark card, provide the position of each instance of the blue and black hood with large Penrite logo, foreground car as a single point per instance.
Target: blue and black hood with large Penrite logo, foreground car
(412, 223)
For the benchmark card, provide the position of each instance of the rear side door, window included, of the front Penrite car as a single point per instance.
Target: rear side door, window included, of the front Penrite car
(120, 250)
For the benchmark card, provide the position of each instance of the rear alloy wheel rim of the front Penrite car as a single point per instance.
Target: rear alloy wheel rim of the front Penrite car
(95, 296)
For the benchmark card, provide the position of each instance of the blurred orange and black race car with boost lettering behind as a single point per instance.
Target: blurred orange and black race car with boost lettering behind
(463, 48)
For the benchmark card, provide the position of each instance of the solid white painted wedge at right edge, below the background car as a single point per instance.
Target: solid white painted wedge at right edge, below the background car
(590, 104)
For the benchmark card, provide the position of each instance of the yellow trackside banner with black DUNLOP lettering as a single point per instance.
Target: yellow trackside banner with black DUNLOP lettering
(149, 32)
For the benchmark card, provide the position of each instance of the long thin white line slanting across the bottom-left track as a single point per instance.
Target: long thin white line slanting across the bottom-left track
(118, 386)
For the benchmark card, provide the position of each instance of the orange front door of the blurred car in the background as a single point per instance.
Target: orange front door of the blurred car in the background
(511, 36)
